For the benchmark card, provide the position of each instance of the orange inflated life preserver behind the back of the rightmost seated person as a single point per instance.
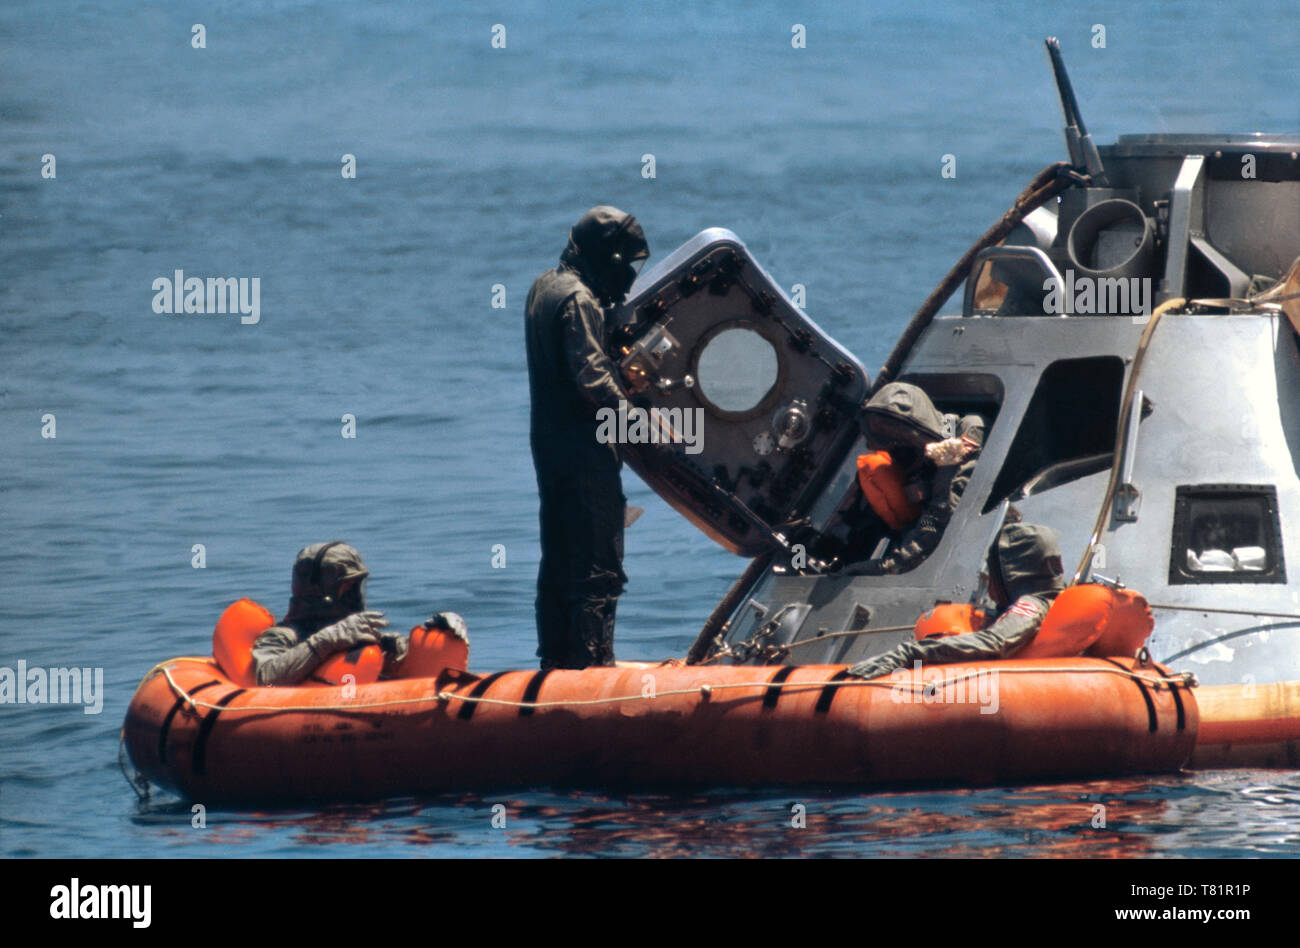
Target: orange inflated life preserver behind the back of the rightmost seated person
(1095, 620)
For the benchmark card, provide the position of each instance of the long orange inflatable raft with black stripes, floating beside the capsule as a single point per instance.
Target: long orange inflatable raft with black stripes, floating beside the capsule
(201, 731)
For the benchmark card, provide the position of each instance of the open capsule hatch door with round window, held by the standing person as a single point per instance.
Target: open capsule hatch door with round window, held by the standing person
(761, 404)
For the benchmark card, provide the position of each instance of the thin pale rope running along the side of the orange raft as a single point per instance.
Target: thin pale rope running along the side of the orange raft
(1186, 679)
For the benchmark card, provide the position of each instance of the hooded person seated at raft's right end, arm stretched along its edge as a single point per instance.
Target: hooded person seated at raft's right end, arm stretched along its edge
(1025, 577)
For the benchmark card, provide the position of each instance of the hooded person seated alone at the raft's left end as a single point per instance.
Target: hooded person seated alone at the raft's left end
(327, 616)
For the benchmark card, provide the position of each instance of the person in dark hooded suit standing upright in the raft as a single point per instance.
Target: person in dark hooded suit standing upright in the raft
(571, 376)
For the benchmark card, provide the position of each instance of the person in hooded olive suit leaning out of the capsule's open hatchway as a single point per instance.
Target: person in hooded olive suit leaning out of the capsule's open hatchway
(934, 456)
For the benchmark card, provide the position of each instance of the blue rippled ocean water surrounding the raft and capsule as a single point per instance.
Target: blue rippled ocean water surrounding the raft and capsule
(376, 302)
